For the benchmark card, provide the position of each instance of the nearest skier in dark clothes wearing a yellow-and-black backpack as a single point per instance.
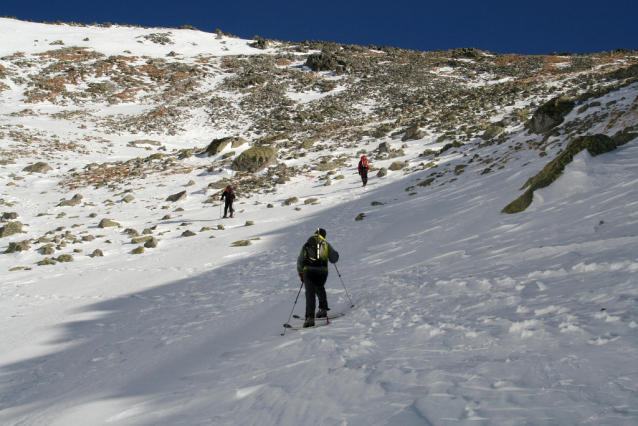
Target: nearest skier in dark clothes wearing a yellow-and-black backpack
(312, 267)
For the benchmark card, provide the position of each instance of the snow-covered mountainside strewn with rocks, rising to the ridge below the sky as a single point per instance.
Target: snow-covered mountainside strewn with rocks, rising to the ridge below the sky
(462, 315)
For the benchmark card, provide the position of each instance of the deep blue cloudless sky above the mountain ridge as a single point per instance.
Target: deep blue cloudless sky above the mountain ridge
(502, 26)
